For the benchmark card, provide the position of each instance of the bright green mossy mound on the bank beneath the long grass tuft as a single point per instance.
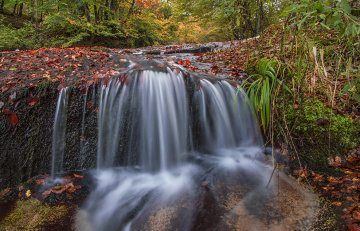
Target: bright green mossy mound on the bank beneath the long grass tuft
(319, 134)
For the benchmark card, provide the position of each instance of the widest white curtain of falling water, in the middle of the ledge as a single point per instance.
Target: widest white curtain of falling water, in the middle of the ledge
(143, 121)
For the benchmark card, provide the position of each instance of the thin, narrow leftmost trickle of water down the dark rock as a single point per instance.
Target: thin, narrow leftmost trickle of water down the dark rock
(59, 134)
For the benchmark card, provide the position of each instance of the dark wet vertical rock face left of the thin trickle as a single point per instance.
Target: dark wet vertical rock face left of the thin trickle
(25, 148)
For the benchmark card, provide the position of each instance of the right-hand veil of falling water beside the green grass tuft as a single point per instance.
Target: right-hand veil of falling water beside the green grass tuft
(222, 124)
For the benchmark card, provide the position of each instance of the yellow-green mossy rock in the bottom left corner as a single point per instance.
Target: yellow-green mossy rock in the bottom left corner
(32, 215)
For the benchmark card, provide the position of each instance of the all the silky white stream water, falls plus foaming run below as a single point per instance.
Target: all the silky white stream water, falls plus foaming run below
(173, 153)
